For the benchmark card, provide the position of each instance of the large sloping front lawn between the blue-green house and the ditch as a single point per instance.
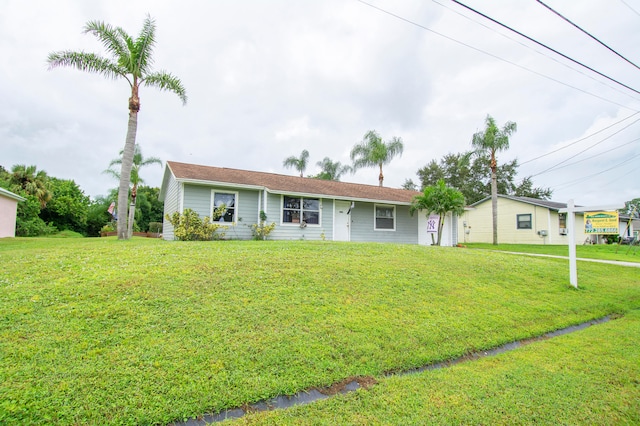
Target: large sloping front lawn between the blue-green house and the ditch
(99, 331)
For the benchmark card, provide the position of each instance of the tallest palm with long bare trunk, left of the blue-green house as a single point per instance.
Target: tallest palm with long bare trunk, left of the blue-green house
(131, 59)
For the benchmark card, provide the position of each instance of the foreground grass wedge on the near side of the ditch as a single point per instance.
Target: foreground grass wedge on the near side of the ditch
(589, 377)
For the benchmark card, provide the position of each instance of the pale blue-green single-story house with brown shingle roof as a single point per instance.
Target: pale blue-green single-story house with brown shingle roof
(302, 208)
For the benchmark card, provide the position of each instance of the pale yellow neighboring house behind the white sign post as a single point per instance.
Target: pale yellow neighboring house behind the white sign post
(523, 220)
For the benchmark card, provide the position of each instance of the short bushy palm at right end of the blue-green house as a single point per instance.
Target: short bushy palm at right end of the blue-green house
(440, 199)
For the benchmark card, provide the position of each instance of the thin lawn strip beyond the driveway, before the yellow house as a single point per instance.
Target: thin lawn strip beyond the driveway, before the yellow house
(622, 253)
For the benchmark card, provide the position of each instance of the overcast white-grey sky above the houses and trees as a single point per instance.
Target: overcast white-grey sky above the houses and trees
(267, 79)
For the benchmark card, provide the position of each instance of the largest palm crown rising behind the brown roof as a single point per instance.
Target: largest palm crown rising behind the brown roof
(373, 152)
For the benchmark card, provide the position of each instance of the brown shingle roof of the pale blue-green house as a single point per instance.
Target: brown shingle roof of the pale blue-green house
(288, 184)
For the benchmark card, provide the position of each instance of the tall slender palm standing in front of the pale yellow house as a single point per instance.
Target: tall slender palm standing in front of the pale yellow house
(487, 143)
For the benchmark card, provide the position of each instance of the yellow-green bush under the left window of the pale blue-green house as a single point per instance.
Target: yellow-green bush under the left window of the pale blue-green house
(188, 226)
